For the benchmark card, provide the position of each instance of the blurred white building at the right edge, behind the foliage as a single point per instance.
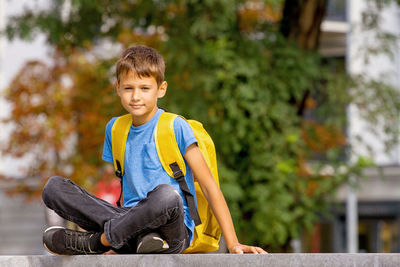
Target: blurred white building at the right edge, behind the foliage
(377, 226)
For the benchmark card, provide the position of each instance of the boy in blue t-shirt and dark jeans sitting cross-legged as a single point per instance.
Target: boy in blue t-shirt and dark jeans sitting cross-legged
(155, 217)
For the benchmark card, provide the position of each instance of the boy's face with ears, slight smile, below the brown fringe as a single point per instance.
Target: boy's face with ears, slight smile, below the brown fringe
(139, 96)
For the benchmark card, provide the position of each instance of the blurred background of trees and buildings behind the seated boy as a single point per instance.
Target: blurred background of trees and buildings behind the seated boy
(301, 98)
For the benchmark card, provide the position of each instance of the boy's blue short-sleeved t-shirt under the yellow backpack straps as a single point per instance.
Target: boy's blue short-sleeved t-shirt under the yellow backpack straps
(143, 169)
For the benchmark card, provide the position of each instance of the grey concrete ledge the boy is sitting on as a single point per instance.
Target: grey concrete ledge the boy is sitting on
(209, 260)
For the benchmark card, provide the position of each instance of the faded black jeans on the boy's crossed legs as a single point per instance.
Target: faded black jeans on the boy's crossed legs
(161, 211)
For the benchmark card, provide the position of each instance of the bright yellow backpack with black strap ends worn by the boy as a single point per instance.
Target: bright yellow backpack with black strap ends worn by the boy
(207, 232)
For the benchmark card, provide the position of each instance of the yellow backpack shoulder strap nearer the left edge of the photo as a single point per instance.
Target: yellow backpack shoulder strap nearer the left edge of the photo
(119, 134)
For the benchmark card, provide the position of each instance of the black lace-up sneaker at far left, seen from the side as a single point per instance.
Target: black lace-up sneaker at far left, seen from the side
(61, 241)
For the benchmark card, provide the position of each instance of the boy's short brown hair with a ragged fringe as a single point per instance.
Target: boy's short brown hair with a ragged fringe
(143, 61)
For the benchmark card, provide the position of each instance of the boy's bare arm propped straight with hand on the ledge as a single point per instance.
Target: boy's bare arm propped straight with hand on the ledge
(216, 200)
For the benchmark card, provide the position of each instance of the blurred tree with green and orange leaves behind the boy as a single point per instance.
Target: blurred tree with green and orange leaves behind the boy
(247, 69)
